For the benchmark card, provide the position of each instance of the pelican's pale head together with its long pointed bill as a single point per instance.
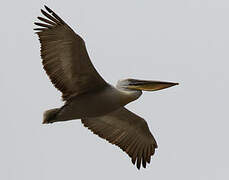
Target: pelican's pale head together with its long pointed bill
(143, 85)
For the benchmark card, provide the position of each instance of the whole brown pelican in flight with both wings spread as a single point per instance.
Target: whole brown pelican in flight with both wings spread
(88, 97)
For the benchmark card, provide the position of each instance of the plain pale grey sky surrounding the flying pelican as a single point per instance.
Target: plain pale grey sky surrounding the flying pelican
(185, 41)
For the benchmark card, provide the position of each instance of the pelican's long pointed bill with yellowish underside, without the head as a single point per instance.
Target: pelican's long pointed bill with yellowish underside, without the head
(148, 85)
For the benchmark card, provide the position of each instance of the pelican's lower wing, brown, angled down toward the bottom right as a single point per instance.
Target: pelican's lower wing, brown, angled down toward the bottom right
(126, 130)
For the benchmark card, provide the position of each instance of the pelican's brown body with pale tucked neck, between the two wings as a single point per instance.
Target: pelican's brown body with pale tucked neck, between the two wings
(93, 104)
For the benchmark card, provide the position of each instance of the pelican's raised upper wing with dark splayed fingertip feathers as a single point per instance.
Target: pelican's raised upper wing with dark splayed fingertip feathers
(65, 58)
